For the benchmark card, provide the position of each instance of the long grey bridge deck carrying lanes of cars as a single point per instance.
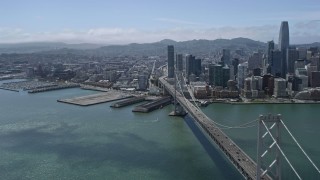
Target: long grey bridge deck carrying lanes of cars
(246, 166)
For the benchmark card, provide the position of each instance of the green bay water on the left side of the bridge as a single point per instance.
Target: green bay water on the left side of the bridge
(41, 138)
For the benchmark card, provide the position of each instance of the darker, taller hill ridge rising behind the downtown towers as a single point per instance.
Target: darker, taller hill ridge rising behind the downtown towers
(196, 47)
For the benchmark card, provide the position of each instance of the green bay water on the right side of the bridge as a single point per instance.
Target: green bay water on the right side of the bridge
(303, 120)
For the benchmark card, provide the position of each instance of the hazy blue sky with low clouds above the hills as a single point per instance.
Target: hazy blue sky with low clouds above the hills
(127, 21)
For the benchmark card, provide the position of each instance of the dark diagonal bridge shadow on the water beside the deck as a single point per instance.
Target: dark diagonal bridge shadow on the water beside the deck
(228, 171)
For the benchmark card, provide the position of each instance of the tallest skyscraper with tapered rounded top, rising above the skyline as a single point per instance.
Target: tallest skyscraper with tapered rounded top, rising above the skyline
(283, 46)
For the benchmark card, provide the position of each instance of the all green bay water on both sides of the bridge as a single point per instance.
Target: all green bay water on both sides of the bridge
(41, 138)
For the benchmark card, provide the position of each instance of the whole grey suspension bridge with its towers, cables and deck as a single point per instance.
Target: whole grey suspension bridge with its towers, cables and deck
(243, 163)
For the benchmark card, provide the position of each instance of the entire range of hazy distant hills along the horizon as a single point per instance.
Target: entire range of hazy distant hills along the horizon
(195, 47)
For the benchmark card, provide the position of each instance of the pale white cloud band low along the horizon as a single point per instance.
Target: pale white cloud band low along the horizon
(303, 32)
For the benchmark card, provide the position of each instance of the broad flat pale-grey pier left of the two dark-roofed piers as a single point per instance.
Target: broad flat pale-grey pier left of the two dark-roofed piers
(95, 98)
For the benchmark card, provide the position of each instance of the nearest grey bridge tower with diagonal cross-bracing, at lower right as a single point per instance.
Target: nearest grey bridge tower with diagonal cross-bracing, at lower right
(269, 124)
